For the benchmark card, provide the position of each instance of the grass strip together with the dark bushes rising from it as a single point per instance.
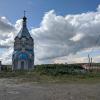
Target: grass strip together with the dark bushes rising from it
(54, 74)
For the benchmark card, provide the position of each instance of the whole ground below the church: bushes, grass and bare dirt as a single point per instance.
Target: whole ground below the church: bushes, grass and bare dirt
(49, 84)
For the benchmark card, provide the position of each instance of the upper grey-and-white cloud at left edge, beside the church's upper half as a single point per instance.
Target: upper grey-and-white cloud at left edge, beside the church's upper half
(7, 31)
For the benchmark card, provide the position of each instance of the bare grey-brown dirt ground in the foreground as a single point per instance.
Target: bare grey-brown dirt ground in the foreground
(9, 90)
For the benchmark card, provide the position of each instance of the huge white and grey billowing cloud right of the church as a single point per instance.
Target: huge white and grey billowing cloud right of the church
(60, 36)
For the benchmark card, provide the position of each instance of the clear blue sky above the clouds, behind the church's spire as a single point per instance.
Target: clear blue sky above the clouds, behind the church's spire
(13, 9)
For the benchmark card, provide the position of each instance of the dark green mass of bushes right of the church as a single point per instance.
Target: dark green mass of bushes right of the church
(58, 69)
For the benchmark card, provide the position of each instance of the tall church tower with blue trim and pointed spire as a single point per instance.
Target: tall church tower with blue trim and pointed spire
(23, 54)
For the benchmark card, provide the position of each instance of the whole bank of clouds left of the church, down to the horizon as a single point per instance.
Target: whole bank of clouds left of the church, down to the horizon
(7, 32)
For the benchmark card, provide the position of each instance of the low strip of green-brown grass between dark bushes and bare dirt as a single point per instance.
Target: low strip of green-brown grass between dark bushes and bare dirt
(33, 76)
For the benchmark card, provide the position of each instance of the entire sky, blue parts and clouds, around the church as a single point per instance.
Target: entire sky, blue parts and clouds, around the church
(67, 29)
